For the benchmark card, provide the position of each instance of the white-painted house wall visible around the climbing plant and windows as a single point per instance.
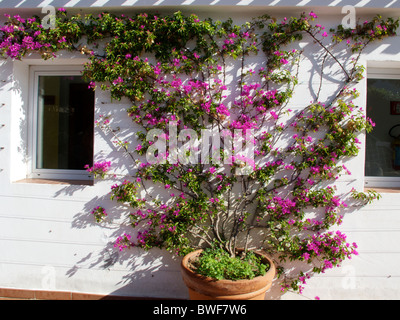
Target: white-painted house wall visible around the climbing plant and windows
(48, 239)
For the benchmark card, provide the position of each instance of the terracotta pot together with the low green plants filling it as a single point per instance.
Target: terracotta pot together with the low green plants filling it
(213, 274)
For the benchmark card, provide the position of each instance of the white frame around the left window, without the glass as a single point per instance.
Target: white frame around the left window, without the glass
(35, 71)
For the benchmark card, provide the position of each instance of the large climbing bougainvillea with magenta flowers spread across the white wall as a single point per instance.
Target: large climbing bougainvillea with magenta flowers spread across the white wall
(186, 77)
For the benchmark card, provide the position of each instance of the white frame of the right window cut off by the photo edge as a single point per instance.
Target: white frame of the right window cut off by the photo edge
(381, 72)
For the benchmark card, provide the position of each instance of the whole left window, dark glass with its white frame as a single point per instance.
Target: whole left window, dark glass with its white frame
(62, 123)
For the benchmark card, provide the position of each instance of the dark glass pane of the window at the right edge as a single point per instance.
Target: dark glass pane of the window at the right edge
(383, 107)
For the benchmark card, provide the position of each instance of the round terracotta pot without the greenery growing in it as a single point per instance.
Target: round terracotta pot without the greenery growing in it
(204, 288)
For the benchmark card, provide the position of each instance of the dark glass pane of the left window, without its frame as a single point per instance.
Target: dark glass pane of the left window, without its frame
(65, 123)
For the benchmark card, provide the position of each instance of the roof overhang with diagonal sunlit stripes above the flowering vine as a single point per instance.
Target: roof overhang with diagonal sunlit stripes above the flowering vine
(363, 7)
